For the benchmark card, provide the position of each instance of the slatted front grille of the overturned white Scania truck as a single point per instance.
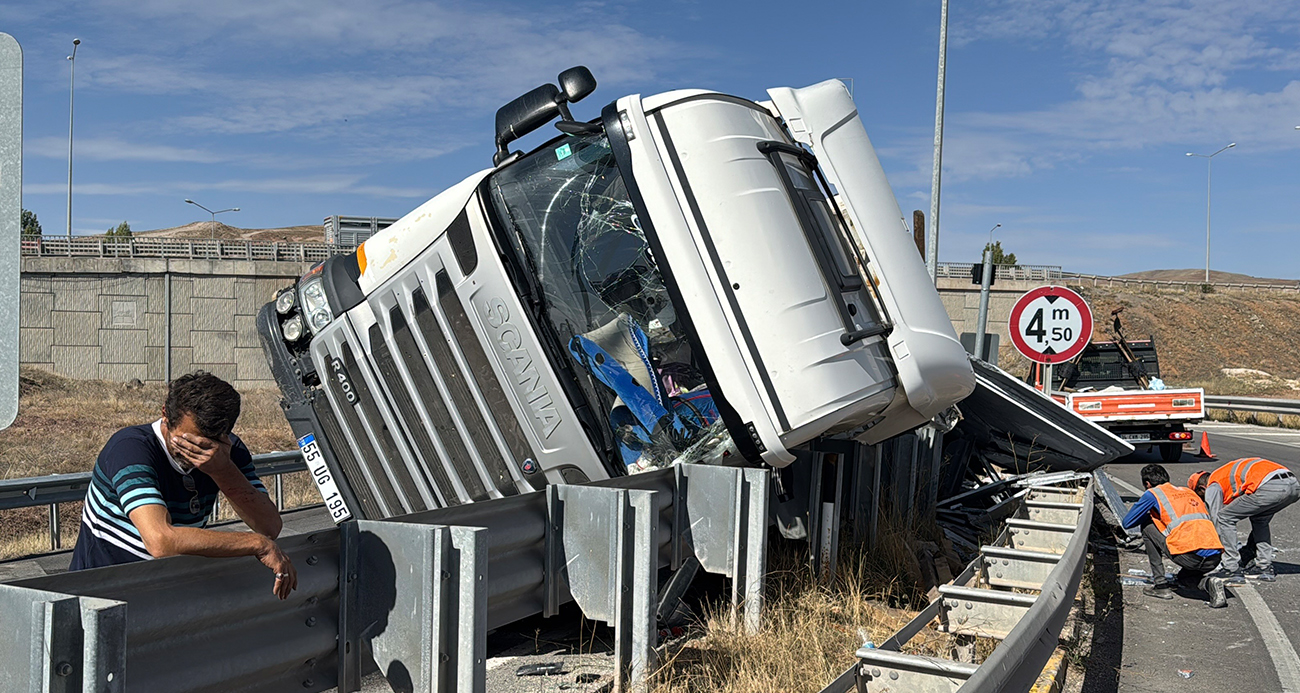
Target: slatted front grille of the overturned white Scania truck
(431, 423)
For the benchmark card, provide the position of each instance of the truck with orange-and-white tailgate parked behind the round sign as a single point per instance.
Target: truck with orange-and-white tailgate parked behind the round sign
(1099, 387)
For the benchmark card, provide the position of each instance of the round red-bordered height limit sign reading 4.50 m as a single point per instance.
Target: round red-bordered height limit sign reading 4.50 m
(1051, 324)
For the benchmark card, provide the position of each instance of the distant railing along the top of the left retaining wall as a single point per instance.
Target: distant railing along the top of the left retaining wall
(181, 249)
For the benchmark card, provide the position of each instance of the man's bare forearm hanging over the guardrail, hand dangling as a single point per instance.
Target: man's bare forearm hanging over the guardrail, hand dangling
(164, 540)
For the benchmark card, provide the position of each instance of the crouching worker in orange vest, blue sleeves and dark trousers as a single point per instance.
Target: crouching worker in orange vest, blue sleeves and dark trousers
(1176, 525)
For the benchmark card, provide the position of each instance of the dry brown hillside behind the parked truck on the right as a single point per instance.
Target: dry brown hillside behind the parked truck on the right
(1219, 341)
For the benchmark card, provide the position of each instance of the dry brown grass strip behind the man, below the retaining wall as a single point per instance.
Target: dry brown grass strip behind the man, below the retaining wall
(64, 423)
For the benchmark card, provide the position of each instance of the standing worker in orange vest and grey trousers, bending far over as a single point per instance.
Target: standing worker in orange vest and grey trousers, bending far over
(1249, 488)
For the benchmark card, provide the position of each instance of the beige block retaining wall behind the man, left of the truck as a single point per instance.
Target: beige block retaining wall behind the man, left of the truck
(92, 318)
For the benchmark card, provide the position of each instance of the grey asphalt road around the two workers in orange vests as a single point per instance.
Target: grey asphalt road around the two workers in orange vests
(1246, 647)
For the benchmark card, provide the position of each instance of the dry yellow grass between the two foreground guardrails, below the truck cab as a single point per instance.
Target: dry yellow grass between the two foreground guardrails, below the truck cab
(811, 629)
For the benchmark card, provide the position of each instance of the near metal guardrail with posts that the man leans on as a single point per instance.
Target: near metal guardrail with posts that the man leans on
(417, 594)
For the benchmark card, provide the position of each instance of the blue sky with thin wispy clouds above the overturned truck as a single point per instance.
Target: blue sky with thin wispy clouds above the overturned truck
(1068, 120)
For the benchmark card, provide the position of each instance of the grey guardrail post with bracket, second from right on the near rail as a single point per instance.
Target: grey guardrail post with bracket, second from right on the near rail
(605, 548)
